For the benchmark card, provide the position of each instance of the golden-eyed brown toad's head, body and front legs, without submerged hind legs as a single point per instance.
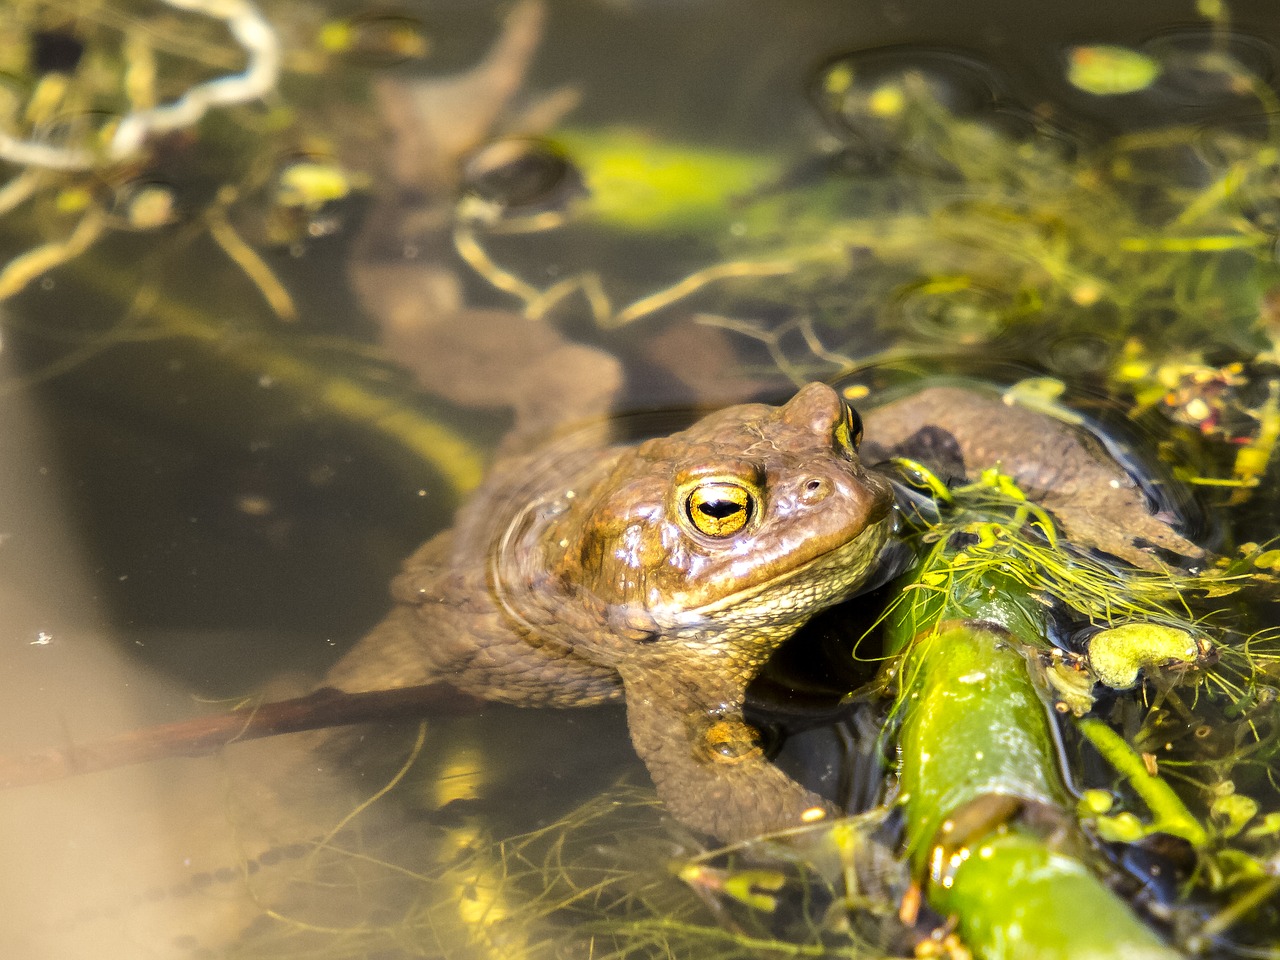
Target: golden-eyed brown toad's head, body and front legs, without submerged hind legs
(668, 573)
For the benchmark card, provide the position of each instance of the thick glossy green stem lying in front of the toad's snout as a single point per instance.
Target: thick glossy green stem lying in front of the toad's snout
(976, 743)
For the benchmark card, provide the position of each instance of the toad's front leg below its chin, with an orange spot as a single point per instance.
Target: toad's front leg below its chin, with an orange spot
(707, 762)
